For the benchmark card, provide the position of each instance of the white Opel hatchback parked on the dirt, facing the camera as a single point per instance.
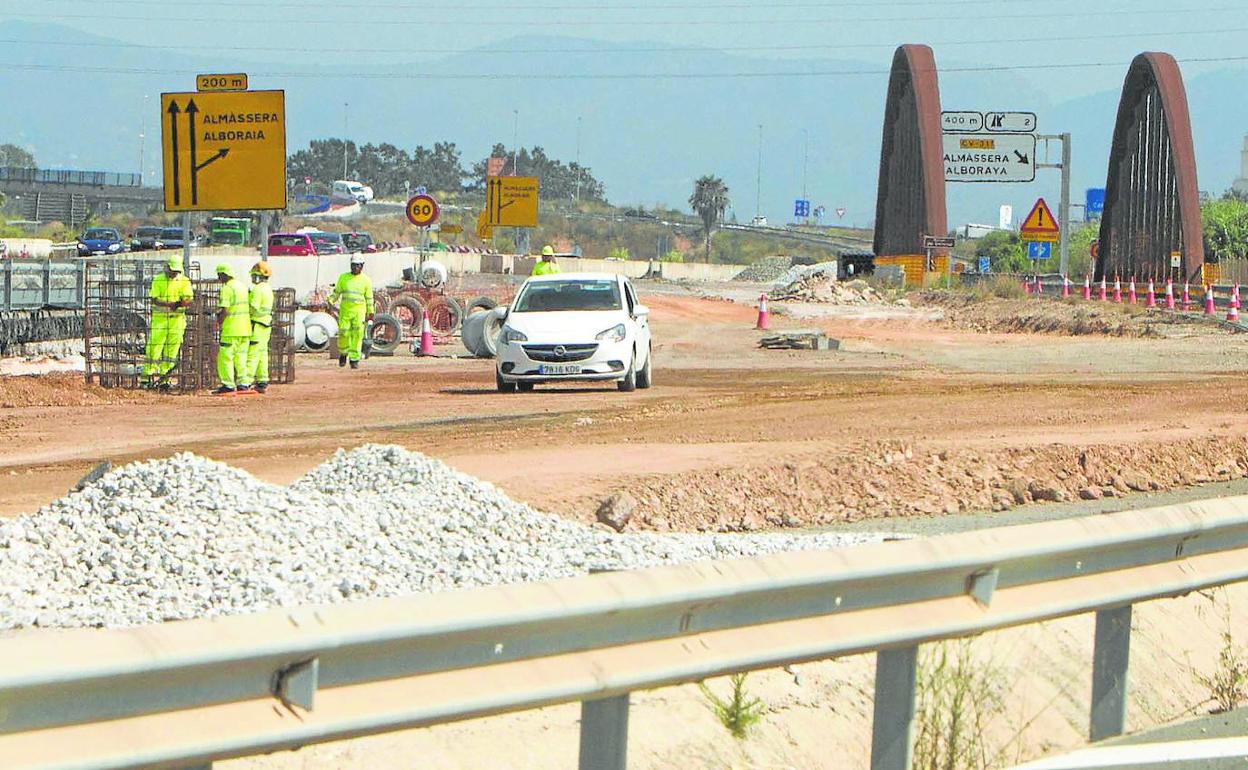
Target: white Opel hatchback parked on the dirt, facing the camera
(575, 326)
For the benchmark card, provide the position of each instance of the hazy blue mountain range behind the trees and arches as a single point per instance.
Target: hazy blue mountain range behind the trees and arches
(80, 102)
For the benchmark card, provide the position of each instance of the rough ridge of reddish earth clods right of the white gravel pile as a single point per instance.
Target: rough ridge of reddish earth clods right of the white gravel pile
(892, 480)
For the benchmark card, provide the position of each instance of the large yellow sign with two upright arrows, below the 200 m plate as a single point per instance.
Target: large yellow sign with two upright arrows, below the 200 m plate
(224, 152)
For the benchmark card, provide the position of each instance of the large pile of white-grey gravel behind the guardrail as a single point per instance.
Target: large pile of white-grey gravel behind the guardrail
(188, 537)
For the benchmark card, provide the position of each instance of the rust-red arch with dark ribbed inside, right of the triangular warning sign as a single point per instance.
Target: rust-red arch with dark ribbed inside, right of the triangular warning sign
(1153, 204)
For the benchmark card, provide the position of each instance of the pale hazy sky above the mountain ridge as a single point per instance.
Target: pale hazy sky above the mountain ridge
(974, 33)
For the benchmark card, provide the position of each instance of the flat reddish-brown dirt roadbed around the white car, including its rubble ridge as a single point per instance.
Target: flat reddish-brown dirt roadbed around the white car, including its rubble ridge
(909, 417)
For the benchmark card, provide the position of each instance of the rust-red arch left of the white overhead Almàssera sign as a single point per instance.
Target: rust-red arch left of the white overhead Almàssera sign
(910, 202)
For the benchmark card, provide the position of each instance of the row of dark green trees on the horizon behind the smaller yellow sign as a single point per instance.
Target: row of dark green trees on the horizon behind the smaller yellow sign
(394, 172)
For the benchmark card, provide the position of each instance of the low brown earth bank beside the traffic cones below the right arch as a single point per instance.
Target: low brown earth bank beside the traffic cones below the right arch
(1073, 318)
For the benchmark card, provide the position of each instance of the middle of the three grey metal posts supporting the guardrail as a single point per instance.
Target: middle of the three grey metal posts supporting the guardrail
(892, 729)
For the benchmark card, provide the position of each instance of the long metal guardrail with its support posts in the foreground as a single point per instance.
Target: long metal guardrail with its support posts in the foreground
(187, 694)
